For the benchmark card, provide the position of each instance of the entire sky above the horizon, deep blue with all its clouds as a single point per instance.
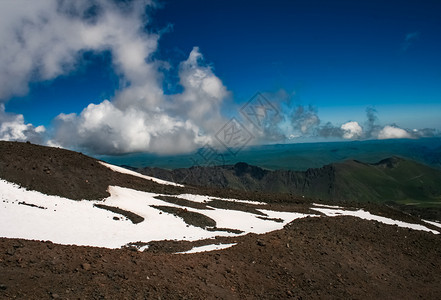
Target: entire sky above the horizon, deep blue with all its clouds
(169, 77)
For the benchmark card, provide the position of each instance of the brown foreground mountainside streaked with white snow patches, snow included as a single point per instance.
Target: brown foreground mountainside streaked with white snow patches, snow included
(147, 234)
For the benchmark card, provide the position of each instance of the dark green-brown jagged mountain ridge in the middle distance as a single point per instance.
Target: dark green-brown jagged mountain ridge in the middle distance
(391, 179)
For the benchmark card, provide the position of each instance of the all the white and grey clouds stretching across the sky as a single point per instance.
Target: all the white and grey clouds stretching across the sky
(42, 40)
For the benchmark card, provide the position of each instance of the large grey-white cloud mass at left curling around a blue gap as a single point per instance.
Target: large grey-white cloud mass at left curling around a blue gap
(44, 39)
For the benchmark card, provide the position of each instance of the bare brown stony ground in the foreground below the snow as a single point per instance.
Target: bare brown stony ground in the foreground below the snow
(331, 258)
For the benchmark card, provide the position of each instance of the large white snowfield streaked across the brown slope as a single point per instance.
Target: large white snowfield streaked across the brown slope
(33, 215)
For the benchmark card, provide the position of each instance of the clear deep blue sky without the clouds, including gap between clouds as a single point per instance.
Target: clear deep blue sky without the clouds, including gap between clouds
(339, 56)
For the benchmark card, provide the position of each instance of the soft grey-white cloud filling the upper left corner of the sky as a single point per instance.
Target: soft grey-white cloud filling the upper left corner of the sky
(44, 39)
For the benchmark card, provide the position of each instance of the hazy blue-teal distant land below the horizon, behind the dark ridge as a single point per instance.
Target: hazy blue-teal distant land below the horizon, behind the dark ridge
(296, 156)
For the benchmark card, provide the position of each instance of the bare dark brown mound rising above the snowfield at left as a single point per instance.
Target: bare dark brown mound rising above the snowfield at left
(65, 173)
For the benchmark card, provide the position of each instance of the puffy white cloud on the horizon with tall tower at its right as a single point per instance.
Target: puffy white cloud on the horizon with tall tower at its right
(180, 123)
